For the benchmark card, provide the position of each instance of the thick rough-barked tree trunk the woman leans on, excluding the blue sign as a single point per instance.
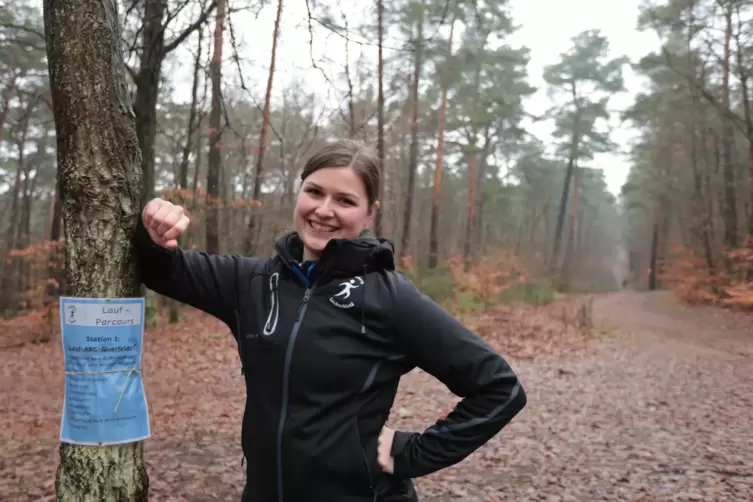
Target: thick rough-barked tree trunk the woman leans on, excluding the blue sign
(100, 177)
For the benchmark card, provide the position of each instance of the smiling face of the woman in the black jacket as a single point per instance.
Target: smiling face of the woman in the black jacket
(332, 204)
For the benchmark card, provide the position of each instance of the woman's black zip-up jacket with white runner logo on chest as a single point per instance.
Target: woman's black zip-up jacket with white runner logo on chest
(322, 347)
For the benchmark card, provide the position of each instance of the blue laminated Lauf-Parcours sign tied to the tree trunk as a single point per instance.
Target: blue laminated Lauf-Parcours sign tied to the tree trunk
(105, 402)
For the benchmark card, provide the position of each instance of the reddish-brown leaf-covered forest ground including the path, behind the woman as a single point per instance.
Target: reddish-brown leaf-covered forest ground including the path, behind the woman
(653, 404)
